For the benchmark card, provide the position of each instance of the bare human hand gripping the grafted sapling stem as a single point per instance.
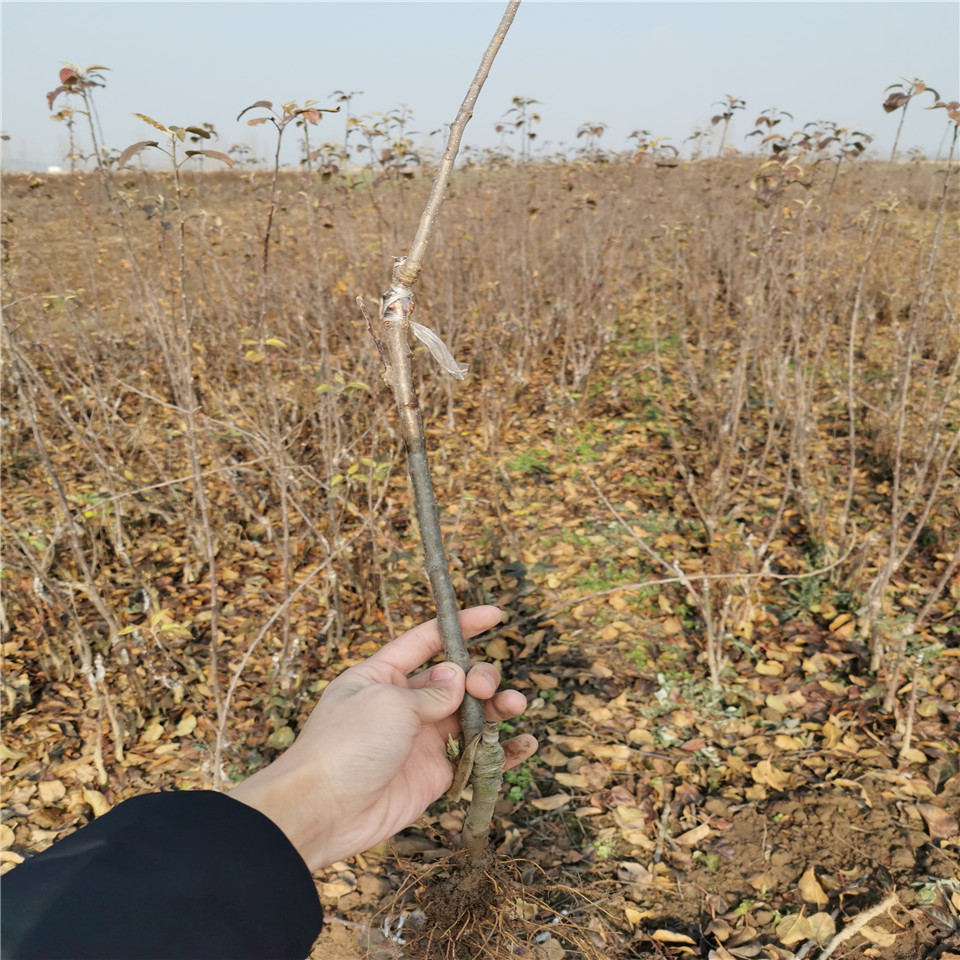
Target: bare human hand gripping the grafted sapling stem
(371, 757)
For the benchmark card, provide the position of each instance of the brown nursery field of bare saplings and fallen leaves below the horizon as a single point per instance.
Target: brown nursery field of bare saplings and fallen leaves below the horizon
(705, 459)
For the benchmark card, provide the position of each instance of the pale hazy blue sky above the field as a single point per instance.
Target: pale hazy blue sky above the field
(630, 65)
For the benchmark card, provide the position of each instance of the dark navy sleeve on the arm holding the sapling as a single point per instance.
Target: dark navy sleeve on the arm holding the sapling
(168, 876)
